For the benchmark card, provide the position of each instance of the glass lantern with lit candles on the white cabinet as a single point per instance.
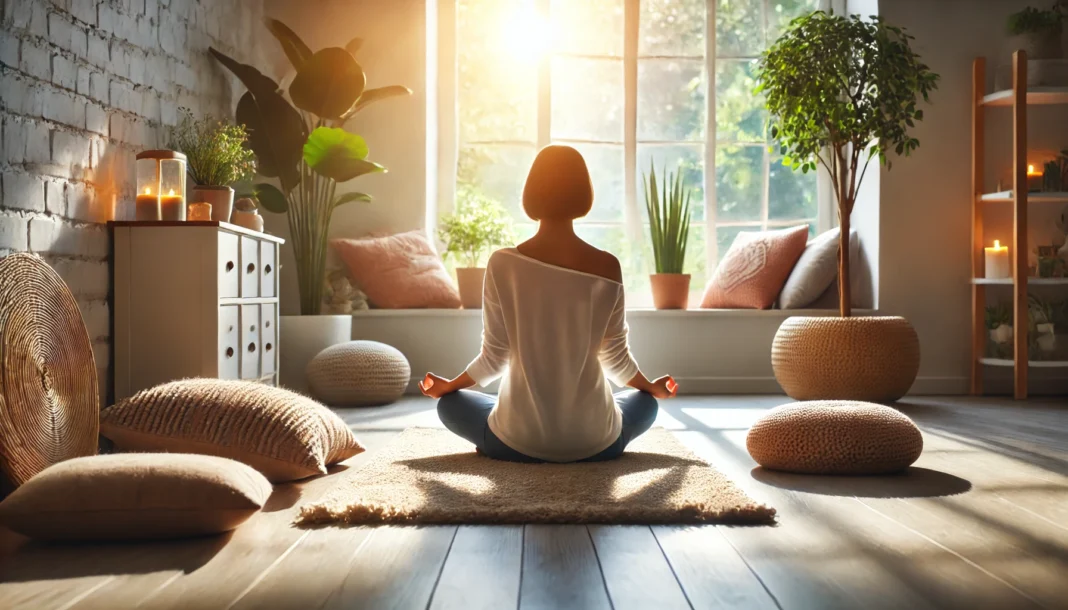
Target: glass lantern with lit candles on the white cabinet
(161, 186)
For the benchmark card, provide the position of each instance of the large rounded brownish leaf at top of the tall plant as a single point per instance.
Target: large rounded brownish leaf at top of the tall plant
(328, 84)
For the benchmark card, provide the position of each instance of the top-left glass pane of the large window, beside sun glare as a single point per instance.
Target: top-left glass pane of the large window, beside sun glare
(497, 102)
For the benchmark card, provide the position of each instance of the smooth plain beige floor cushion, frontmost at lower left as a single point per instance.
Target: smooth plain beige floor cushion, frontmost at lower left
(136, 496)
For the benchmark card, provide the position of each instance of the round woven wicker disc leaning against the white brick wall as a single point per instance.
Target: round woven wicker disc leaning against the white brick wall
(50, 399)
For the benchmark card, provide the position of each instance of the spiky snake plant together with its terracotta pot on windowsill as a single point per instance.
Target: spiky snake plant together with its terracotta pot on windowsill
(669, 209)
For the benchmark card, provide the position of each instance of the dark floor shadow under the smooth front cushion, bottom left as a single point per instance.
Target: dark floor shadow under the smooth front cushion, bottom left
(51, 561)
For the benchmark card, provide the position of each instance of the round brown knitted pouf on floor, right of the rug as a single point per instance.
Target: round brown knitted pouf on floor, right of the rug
(835, 437)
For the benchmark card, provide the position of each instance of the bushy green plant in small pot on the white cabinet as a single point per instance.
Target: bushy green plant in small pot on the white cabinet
(217, 157)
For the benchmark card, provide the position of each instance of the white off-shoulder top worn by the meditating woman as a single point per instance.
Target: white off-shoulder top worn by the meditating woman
(555, 335)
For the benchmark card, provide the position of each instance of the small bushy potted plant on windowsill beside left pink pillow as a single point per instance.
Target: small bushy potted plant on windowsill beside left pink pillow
(479, 226)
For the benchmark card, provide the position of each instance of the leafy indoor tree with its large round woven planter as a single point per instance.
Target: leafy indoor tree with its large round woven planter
(843, 92)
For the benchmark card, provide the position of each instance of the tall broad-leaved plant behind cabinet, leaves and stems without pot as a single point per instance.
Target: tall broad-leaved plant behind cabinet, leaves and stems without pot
(306, 145)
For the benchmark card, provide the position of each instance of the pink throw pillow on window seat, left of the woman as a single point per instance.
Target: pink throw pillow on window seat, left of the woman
(399, 272)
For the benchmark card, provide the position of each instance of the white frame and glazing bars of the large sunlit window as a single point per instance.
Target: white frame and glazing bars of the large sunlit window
(444, 140)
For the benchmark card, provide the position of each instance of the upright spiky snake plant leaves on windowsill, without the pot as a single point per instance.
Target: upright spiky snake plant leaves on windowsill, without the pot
(669, 208)
